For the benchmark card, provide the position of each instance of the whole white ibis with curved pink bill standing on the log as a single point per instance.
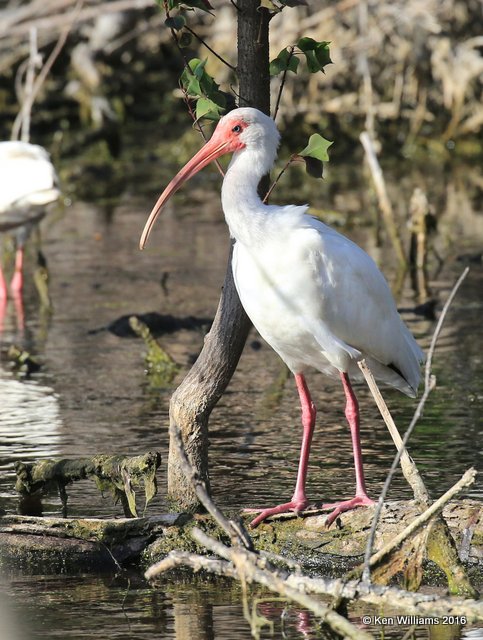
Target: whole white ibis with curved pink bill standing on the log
(316, 297)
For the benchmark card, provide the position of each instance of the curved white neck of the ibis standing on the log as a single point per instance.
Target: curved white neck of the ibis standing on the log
(245, 213)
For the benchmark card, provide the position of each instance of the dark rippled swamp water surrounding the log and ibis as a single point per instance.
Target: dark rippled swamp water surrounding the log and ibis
(91, 394)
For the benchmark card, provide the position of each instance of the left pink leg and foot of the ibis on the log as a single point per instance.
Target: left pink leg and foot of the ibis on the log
(299, 499)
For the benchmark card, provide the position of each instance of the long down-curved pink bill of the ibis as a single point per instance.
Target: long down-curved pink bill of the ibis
(210, 151)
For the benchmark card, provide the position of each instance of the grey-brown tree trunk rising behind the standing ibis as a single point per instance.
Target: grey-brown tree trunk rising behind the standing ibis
(195, 398)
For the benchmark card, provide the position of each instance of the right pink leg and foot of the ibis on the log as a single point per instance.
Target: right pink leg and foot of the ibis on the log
(352, 414)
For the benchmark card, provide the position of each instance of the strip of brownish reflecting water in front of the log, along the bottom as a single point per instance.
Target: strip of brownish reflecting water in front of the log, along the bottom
(180, 608)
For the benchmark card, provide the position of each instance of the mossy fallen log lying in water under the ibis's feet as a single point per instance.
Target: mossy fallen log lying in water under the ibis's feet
(86, 544)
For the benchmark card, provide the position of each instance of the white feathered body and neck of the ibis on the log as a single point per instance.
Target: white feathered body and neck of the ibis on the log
(317, 298)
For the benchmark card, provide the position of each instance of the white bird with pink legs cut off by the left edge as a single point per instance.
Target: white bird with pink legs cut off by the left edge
(28, 183)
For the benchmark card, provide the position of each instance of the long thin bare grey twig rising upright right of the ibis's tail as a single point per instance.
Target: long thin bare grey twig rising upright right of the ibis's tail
(429, 384)
